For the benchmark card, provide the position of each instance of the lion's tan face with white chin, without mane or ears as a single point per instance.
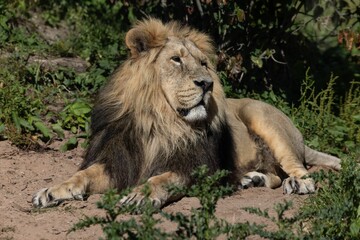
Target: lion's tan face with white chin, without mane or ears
(185, 79)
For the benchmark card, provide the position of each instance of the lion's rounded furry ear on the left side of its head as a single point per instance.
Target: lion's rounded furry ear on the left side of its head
(145, 35)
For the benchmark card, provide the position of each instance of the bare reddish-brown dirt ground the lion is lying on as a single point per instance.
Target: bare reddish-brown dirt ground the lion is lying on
(22, 173)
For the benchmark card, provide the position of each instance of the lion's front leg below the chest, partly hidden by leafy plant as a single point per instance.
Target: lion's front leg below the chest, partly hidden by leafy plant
(158, 192)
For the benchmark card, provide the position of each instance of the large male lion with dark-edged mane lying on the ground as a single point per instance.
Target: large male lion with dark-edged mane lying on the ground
(164, 113)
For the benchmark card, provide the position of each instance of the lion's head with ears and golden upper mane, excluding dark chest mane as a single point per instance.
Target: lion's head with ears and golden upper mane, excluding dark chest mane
(168, 84)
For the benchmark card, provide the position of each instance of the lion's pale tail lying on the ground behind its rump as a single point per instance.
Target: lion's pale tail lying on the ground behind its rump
(316, 158)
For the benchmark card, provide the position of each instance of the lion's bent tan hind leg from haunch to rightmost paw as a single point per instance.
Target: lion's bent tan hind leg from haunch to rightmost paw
(284, 140)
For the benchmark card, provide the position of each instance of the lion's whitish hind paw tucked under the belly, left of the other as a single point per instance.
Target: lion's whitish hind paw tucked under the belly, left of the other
(257, 179)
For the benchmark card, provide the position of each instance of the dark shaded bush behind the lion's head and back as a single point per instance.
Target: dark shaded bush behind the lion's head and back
(268, 45)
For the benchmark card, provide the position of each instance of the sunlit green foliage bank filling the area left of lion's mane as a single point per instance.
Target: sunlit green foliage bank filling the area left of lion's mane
(41, 103)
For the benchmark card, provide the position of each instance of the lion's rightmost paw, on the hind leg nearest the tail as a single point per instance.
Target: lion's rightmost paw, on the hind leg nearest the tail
(298, 186)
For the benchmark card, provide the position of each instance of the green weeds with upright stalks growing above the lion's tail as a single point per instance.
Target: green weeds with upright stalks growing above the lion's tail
(322, 128)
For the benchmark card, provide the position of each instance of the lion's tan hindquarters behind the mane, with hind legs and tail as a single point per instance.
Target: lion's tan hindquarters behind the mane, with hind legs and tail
(284, 141)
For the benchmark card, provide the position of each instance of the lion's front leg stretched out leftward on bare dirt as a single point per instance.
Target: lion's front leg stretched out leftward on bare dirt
(84, 182)
